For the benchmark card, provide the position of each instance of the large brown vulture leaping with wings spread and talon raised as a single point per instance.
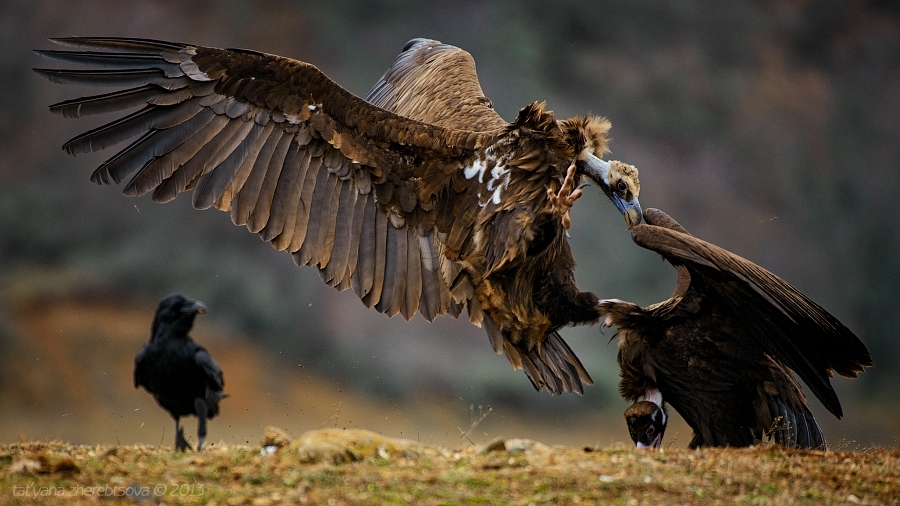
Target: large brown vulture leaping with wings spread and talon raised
(427, 202)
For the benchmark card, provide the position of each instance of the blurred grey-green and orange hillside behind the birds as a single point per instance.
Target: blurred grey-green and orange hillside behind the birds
(769, 128)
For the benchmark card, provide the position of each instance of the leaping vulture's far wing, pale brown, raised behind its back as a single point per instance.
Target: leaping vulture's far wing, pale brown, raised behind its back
(436, 83)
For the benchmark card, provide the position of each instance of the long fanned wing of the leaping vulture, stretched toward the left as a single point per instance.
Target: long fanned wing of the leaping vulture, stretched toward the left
(374, 200)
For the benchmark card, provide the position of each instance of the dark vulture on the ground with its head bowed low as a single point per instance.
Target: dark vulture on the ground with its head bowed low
(722, 349)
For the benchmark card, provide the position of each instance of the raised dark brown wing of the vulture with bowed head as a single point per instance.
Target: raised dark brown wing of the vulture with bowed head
(790, 327)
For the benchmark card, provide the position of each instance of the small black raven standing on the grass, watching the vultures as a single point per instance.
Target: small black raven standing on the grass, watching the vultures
(179, 373)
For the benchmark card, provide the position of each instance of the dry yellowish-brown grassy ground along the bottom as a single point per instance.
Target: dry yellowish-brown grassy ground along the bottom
(353, 466)
